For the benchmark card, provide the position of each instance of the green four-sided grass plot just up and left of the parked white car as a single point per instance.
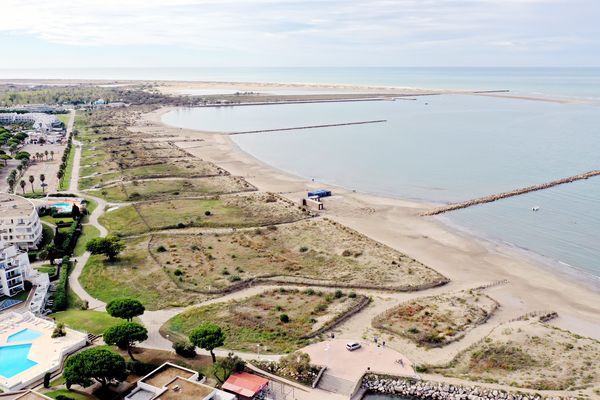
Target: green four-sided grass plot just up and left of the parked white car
(257, 319)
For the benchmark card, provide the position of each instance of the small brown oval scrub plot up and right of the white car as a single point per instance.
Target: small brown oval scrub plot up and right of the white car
(437, 320)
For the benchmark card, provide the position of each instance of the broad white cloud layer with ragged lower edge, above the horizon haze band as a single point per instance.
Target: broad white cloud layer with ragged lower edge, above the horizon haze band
(286, 27)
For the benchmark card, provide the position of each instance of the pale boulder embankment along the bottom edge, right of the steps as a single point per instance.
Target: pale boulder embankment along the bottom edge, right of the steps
(425, 390)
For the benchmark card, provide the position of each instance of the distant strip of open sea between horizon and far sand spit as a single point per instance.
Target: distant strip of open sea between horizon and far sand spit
(568, 82)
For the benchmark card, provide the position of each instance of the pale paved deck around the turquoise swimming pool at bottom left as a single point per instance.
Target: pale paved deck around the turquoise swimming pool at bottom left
(47, 352)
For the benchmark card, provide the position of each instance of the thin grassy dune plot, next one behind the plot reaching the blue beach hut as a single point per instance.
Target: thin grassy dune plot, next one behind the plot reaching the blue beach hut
(171, 188)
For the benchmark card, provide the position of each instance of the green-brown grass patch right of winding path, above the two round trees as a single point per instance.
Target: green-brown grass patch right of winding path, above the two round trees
(135, 274)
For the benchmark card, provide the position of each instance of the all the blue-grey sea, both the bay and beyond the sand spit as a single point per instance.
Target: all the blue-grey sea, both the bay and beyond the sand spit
(438, 149)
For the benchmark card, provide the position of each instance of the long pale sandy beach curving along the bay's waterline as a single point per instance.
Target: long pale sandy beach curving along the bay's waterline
(467, 260)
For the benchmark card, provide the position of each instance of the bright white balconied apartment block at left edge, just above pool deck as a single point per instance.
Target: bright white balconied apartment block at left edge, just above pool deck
(14, 269)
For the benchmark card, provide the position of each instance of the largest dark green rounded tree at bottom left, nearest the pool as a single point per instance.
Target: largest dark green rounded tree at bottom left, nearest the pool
(97, 364)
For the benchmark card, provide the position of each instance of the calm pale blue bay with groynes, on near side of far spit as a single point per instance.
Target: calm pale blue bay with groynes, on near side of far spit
(444, 149)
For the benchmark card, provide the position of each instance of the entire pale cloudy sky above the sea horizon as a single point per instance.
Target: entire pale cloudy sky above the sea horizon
(234, 33)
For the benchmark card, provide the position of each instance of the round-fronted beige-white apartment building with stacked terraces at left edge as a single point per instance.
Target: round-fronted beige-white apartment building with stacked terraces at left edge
(19, 222)
